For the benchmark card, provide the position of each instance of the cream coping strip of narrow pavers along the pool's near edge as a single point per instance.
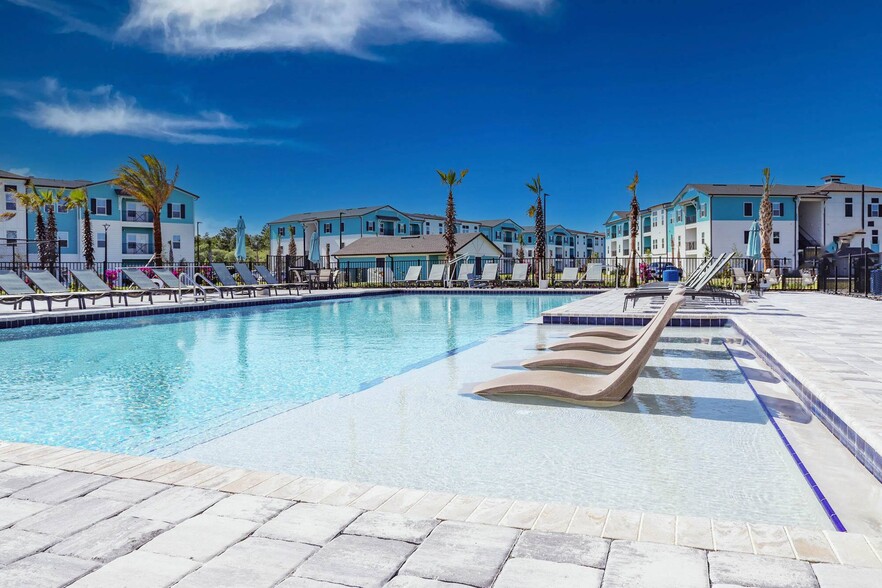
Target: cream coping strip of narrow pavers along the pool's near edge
(810, 545)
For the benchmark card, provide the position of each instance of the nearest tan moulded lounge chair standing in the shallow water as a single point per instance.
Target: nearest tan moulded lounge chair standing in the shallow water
(599, 391)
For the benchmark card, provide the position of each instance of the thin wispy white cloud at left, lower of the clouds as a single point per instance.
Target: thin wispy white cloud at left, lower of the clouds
(105, 111)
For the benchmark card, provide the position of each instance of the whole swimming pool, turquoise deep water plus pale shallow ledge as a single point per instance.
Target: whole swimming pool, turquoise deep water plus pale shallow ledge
(377, 389)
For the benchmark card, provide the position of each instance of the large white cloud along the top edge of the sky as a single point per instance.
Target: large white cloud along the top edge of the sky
(342, 26)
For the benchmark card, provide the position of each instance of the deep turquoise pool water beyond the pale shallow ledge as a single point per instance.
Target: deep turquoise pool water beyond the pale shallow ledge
(159, 384)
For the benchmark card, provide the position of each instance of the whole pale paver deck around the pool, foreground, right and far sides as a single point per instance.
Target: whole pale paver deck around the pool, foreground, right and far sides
(85, 518)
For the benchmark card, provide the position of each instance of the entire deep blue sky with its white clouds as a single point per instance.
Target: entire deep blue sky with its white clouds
(272, 107)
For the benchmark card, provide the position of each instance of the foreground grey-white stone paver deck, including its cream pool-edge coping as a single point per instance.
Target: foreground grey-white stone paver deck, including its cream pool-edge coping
(61, 524)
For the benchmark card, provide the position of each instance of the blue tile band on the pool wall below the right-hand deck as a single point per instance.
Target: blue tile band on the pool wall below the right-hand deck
(867, 455)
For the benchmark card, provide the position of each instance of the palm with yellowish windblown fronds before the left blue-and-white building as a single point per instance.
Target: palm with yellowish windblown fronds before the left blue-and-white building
(148, 183)
